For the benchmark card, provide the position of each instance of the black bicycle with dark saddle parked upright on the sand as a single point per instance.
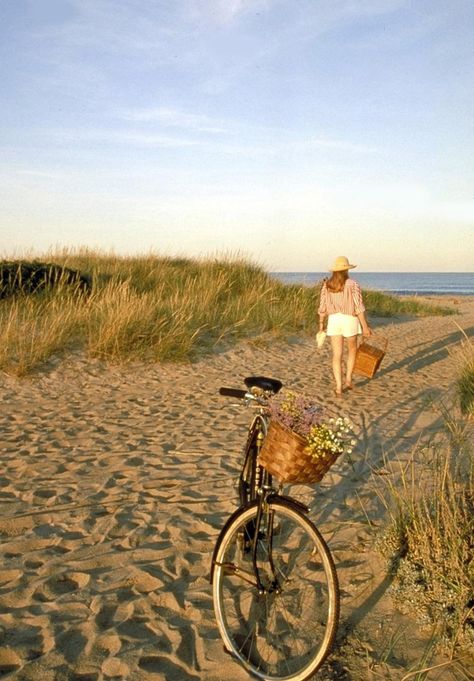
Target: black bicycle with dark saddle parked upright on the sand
(275, 587)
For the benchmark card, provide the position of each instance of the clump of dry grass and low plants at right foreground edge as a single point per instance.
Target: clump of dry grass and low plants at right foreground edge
(429, 537)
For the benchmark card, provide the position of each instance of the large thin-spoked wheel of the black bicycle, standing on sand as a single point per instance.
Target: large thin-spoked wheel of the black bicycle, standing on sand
(283, 636)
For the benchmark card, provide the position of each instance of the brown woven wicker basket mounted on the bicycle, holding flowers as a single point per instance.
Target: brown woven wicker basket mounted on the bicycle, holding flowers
(284, 455)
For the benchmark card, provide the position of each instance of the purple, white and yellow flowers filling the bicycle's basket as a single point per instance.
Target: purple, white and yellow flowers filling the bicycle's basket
(324, 439)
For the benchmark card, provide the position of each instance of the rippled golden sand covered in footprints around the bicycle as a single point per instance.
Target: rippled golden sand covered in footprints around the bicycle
(115, 481)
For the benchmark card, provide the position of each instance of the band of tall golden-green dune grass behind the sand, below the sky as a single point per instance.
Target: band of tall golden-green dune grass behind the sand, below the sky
(154, 308)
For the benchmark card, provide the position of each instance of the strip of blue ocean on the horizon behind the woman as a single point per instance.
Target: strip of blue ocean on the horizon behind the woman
(398, 283)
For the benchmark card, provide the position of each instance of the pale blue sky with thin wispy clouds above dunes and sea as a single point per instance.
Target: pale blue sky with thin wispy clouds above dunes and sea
(287, 132)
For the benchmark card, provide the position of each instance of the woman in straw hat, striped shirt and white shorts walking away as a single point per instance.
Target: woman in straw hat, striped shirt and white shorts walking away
(341, 301)
